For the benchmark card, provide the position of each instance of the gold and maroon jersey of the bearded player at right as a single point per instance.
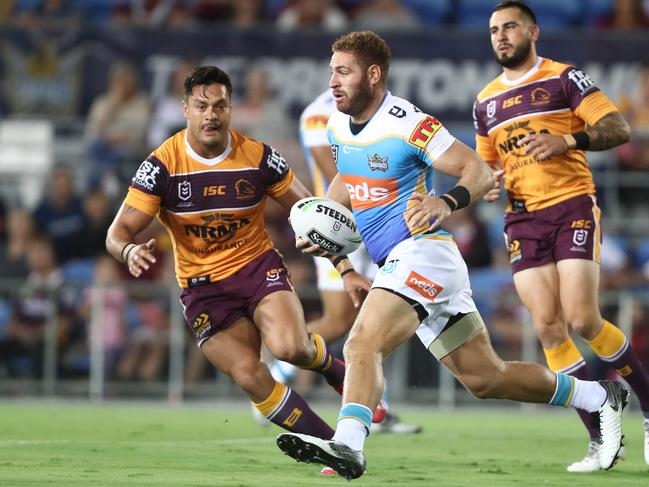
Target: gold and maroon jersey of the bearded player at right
(552, 98)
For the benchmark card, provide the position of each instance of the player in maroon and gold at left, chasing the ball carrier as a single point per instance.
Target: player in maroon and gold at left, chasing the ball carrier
(208, 185)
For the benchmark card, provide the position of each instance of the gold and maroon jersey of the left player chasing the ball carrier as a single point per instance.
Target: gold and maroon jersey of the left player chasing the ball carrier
(213, 209)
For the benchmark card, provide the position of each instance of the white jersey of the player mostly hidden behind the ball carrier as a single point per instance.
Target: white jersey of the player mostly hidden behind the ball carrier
(313, 133)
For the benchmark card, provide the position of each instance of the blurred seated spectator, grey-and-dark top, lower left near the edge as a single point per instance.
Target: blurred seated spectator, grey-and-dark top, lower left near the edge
(25, 332)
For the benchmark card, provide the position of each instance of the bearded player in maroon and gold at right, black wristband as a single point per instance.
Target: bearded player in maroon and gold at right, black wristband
(535, 121)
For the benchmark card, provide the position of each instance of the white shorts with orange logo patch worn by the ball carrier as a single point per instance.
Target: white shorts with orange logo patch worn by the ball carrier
(432, 272)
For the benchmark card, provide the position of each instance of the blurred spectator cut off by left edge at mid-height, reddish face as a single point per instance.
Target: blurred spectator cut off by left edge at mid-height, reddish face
(13, 250)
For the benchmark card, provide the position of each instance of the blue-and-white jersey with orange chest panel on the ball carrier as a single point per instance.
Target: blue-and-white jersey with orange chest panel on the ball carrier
(391, 157)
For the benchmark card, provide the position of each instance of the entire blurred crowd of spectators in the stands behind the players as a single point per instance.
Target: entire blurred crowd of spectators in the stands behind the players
(54, 267)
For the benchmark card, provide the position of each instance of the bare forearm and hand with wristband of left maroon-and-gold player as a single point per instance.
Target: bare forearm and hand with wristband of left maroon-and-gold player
(120, 240)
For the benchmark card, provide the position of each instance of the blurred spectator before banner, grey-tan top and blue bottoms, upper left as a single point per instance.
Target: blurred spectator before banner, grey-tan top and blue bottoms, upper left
(117, 123)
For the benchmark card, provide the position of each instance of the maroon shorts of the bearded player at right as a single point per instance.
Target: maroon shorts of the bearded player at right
(568, 230)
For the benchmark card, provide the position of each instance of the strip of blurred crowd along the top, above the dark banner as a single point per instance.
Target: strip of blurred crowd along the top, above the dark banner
(321, 14)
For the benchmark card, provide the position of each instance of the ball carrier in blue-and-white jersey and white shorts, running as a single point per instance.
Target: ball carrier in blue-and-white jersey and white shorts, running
(387, 153)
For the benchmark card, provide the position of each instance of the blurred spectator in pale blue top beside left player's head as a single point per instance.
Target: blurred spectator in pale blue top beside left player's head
(168, 117)
